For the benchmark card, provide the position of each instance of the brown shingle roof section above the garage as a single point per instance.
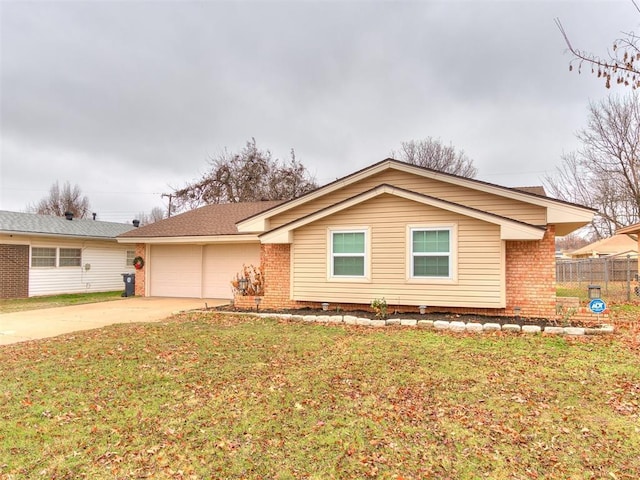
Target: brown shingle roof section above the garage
(210, 220)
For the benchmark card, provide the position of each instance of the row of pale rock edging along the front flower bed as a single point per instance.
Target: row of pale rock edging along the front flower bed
(454, 326)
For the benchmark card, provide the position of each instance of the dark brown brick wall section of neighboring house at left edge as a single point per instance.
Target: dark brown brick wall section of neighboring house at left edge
(14, 271)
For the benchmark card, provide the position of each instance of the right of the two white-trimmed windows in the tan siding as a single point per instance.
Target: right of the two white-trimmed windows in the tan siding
(431, 252)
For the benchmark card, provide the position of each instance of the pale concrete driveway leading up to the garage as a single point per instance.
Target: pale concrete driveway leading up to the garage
(49, 322)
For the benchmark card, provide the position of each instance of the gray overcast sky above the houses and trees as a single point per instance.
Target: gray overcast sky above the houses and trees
(129, 99)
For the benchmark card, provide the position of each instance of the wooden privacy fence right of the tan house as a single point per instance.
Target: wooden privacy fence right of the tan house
(617, 276)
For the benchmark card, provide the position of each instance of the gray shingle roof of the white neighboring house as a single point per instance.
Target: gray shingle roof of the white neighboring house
(48, 225)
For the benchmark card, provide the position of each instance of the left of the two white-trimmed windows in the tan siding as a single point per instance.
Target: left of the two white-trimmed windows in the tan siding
(348, 253)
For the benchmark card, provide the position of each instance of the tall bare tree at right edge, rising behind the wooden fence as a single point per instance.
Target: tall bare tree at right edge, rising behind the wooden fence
(605, 172)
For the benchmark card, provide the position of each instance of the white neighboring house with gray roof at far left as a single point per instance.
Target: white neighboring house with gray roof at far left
(45, 255)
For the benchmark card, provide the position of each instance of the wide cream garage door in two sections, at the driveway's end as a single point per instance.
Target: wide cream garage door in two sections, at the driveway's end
(198, 271)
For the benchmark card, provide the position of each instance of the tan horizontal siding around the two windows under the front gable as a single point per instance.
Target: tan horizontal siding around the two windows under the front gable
(480, 267)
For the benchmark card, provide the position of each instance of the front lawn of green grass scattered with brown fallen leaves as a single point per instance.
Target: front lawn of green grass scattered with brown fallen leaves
(206, 395)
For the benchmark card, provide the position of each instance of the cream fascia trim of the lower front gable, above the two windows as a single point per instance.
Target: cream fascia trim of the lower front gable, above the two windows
(510, 230)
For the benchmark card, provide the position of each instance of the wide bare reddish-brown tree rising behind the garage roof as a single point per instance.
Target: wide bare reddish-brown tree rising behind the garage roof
(250, 175)
